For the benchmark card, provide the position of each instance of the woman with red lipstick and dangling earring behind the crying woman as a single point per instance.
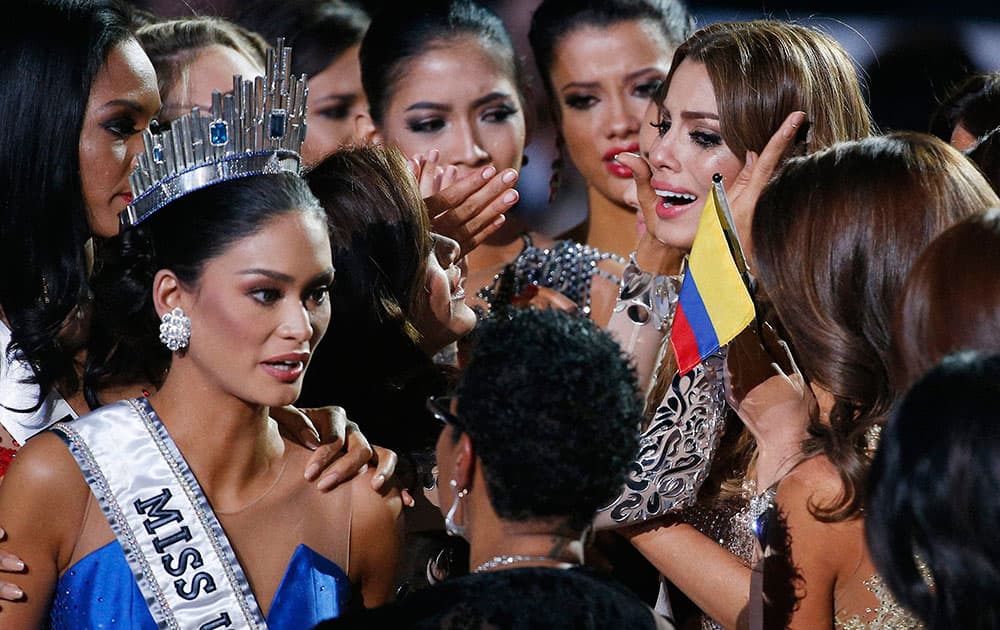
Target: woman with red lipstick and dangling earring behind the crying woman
(601, 61)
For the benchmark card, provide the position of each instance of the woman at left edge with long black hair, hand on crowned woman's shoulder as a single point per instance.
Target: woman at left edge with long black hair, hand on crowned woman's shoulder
(66, 182)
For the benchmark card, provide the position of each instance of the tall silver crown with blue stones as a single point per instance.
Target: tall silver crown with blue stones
(256, 129)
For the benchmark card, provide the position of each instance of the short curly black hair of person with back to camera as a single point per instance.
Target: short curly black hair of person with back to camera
(564, 388)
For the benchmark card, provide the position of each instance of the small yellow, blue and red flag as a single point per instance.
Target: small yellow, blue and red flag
(714, 304)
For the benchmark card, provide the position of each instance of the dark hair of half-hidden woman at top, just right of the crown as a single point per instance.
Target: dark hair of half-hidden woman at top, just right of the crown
(318, 30)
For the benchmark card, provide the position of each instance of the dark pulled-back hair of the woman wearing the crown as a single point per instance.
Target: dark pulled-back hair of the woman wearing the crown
(182, 236)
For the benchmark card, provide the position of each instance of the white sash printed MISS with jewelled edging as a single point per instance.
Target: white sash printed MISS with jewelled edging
(178, 552)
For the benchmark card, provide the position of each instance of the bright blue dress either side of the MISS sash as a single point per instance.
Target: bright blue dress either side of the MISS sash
(100, 592)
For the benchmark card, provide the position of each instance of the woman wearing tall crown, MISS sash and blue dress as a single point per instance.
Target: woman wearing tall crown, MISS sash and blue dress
(186, 508)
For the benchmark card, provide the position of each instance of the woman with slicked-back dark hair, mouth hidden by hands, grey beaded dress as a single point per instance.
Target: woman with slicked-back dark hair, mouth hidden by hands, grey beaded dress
(416, 65)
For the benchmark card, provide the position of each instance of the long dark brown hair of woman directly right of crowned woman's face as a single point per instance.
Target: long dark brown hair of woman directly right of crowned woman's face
(370, 362)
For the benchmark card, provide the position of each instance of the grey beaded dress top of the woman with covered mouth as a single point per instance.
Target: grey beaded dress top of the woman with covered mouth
(567, 267)
